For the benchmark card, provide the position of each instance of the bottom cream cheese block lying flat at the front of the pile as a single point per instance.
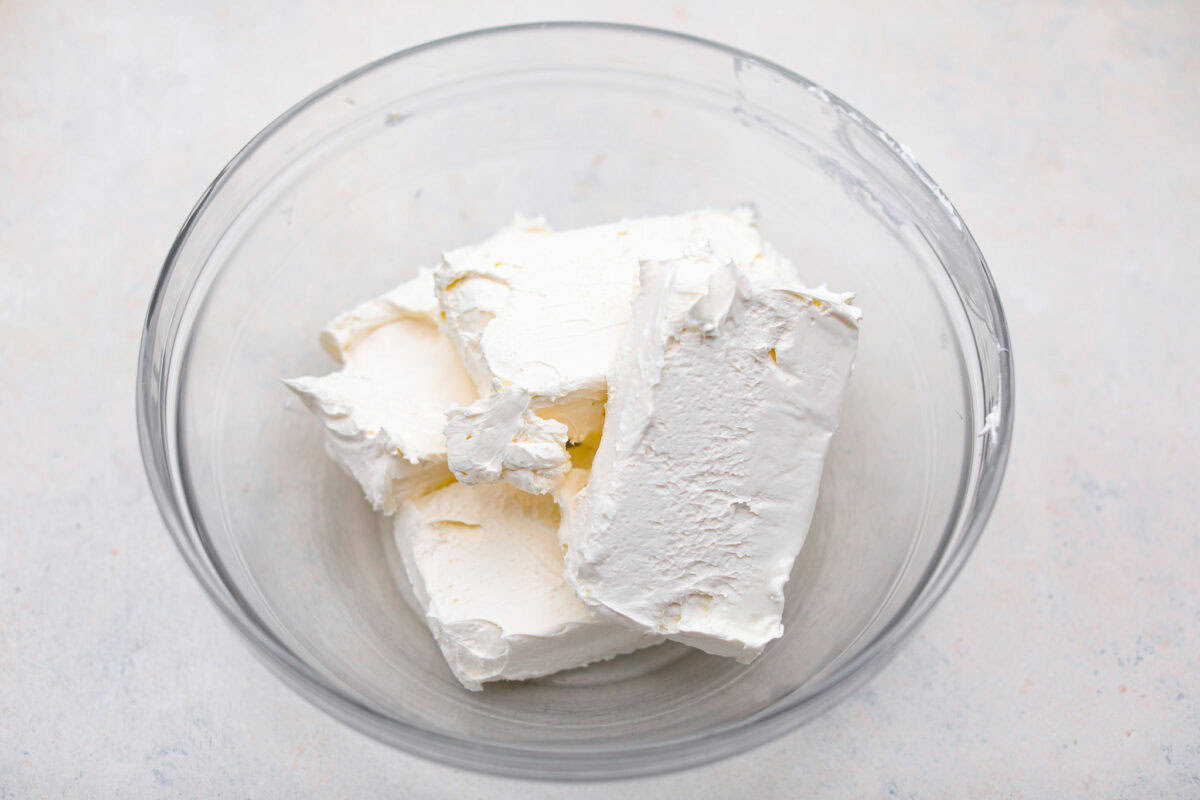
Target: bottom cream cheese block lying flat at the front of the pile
(487, 568)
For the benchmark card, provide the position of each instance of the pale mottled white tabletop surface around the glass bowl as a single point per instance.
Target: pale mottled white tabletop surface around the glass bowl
(1065, 663)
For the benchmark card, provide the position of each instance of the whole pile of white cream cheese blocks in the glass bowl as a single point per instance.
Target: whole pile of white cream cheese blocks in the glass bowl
(471, 405)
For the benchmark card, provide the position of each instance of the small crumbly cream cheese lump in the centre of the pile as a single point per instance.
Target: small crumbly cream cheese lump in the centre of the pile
(500, 438)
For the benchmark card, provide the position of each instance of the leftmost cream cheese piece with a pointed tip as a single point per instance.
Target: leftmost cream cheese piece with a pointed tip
(385, 412)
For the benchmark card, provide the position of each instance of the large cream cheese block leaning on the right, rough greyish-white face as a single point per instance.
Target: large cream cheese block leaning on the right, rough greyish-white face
(722, 405)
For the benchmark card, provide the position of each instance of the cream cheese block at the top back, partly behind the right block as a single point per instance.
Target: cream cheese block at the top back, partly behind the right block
(544, 312)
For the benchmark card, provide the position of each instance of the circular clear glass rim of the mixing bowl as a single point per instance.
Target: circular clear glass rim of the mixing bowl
(571, 762)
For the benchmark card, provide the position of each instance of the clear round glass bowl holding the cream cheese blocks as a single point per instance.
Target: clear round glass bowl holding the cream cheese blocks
(435, 147)
